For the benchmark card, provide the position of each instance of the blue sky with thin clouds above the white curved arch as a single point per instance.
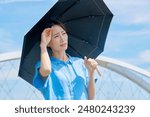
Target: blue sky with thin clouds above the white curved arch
(128, 38)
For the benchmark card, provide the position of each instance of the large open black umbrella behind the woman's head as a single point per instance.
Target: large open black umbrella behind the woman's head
(87, 23)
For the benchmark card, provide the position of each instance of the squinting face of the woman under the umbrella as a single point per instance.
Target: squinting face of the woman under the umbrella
(59, 40)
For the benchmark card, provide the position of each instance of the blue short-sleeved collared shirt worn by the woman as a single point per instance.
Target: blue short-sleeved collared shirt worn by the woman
(67, 81)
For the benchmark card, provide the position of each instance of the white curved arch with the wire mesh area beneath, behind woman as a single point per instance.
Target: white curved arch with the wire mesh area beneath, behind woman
(119, 80)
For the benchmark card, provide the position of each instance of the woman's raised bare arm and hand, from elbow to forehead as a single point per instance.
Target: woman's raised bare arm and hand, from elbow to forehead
(45, 68)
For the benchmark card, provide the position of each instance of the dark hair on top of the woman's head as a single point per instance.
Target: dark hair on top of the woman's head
(56, 22)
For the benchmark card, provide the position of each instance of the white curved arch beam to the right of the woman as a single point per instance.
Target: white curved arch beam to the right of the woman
(127, 70)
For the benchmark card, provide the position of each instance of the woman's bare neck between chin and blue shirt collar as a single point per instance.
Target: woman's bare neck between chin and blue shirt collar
(61, 56)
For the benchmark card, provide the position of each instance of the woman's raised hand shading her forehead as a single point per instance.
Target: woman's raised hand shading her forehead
(46, 36)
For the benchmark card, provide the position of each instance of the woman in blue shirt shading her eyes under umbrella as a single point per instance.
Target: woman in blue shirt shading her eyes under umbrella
(60, 76)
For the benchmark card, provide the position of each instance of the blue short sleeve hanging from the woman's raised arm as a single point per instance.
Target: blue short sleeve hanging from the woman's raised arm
(38, 81)
